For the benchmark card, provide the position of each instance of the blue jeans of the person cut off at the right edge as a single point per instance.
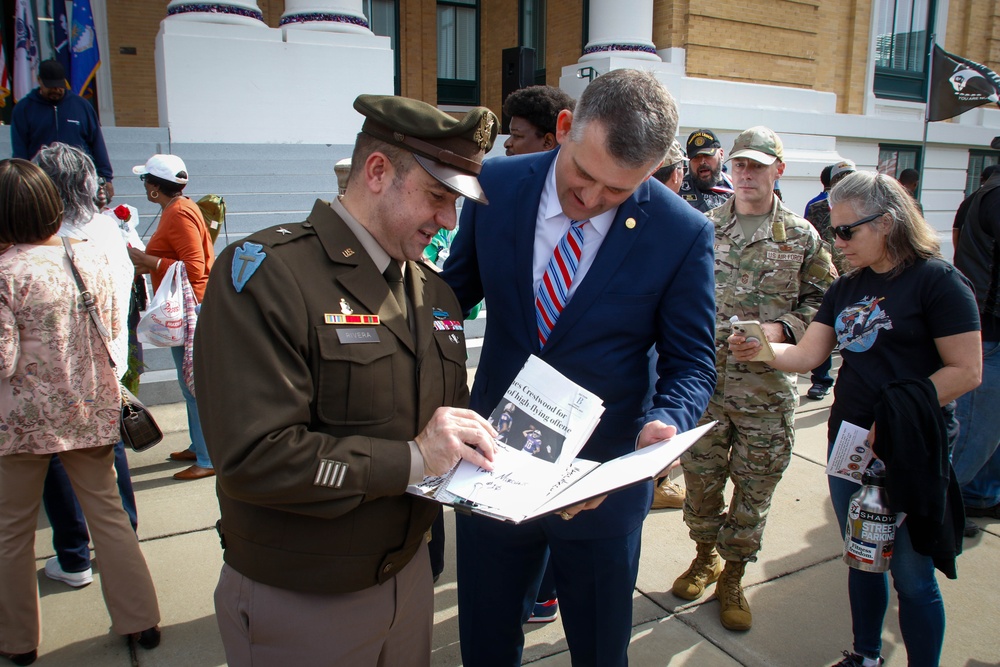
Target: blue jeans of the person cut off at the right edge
(976, 457)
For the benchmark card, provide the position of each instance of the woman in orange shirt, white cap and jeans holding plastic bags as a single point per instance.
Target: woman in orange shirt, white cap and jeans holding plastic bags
(180, 236)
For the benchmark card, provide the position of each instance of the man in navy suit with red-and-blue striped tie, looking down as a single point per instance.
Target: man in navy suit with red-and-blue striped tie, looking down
(643, 278)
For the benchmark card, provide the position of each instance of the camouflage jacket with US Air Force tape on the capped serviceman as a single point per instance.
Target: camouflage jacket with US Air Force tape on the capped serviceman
(781, 275)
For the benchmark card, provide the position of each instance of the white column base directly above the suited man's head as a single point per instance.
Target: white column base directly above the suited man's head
(621, 28)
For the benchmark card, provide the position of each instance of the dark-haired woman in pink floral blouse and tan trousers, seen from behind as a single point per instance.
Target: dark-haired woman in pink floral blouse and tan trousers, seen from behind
(58, 395)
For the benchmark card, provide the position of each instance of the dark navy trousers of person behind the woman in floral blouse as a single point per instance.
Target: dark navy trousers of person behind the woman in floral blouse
(70, 537)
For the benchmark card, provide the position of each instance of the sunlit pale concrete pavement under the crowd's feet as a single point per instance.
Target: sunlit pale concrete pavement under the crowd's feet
(797, 589)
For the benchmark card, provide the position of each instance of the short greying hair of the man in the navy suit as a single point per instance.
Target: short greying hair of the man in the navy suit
(637, 112)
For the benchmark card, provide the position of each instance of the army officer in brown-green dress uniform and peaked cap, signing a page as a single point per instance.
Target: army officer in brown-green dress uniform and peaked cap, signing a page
(330, 370)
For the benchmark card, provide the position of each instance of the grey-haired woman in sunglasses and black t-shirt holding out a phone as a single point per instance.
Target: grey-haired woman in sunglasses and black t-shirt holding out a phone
(901, 312)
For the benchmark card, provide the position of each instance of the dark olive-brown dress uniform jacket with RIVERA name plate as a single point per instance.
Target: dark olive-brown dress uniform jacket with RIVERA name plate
(307, 421)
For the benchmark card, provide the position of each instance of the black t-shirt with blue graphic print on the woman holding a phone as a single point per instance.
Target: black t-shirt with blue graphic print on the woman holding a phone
(885, 330)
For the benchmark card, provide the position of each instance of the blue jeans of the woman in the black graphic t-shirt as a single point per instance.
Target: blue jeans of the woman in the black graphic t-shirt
(921, 609)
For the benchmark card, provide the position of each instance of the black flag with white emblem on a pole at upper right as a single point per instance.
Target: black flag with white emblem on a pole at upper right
(959, 85)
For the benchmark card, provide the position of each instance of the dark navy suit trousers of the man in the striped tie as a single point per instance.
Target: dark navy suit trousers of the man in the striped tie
(500, 569)
